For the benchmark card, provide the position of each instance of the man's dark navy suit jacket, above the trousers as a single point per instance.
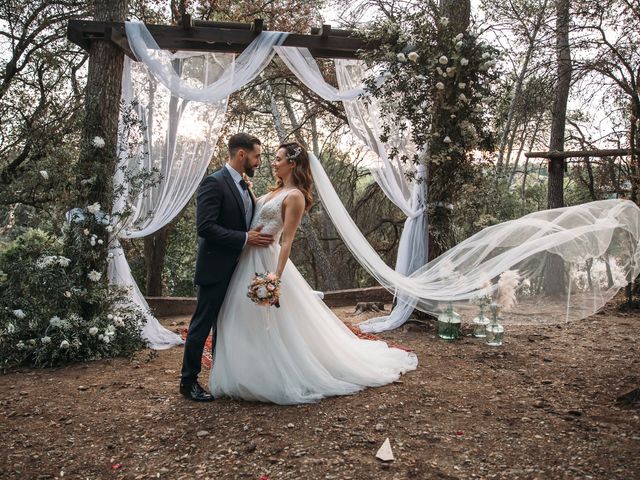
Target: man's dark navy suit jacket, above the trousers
(221, 226)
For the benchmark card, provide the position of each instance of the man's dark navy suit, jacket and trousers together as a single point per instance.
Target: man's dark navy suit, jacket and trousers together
(222, 228)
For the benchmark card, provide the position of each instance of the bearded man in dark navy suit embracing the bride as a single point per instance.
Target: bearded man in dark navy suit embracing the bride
(223, 215)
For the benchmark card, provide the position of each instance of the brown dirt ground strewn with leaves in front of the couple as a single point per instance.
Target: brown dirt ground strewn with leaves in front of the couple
(542, 406)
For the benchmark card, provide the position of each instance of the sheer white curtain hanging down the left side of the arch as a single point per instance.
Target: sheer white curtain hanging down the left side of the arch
(176, 137)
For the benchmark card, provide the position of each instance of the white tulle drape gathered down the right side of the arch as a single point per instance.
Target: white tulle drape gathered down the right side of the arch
(364, 117)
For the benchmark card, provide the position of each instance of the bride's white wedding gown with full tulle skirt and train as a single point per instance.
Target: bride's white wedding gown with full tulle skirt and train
(300, 352)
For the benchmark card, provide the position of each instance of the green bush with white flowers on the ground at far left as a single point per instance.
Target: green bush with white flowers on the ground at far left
(52, 314)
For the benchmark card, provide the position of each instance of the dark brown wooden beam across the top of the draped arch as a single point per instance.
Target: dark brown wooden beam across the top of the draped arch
(206, 36)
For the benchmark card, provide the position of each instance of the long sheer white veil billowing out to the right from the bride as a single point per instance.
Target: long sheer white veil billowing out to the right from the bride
(597, 242)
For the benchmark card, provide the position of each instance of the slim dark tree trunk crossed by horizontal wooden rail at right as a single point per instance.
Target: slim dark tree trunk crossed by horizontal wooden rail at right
(554, 272)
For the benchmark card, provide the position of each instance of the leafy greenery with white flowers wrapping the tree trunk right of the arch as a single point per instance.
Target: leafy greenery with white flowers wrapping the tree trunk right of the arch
(435, 84)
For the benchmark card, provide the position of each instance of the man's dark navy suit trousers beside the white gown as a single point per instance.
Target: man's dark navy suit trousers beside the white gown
(203, 322)
